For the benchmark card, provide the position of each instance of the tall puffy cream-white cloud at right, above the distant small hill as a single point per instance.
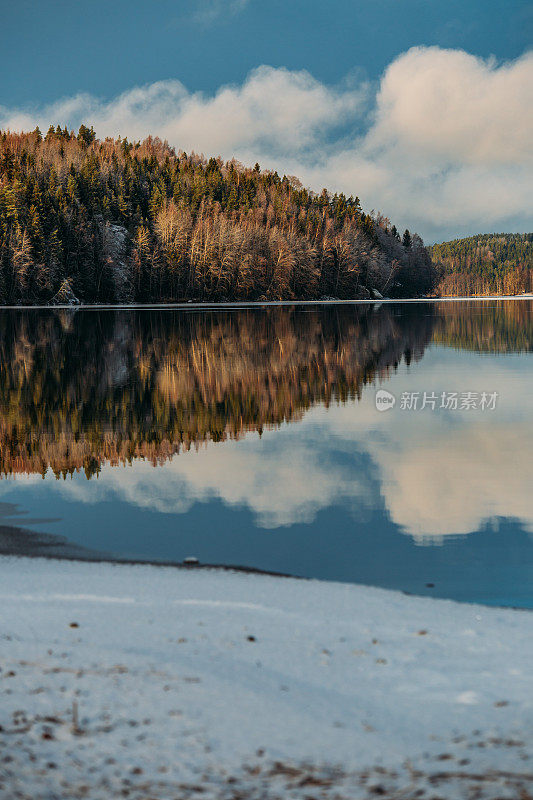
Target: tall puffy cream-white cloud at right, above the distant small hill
(452, 136)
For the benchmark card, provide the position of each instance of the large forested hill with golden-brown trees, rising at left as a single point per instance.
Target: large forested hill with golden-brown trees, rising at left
(115, 221)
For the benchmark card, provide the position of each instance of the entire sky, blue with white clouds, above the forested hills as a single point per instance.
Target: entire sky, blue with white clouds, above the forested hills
(62, 51)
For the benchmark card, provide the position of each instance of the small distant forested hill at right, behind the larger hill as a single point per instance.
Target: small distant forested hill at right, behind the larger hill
(492, 263)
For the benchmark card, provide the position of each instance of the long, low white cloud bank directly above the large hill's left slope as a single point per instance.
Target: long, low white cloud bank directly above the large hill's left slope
(275, 113)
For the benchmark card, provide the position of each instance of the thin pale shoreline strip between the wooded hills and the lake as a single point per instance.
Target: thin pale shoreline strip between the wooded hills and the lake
(265, 303)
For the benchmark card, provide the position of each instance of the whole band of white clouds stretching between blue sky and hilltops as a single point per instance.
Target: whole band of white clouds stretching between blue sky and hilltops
(441, 146)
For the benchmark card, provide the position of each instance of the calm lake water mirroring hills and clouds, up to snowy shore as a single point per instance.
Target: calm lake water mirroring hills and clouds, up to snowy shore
(252, 437)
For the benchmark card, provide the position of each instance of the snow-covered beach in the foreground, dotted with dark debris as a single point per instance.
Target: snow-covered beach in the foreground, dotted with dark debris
(156, 682)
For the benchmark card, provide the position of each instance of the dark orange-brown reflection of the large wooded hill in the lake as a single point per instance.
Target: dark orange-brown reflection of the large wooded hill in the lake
(78, 389)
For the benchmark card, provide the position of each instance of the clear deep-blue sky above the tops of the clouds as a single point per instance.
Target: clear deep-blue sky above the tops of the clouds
(59, 48)
